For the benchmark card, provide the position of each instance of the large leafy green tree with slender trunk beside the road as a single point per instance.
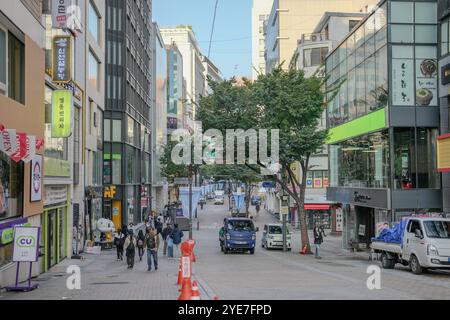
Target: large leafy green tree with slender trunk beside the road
(284, 100)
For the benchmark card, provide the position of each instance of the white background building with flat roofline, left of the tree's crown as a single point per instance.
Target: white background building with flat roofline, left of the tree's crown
(193, 69)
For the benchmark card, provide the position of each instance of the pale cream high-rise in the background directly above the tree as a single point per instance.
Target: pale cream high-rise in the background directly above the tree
(260, 13)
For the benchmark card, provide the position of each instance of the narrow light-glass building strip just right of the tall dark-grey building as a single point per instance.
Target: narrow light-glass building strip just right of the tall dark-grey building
(159, 119)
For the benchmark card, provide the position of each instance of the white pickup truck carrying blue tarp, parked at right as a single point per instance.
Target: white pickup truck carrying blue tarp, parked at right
(425, 245)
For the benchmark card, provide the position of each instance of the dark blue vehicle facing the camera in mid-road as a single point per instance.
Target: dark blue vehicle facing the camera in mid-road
(238, 234)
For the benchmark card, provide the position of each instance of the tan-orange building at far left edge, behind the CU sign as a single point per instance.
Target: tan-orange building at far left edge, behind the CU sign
(22, 64)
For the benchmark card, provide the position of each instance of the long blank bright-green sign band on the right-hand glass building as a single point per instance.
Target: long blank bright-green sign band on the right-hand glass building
(369, 123)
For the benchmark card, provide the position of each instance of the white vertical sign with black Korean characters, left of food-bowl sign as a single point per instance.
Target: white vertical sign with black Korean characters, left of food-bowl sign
(402, 82)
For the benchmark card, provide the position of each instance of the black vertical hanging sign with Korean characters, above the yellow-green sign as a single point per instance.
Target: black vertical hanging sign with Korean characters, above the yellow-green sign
(61, 59)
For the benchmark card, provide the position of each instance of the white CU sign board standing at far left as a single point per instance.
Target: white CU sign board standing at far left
(26, 244)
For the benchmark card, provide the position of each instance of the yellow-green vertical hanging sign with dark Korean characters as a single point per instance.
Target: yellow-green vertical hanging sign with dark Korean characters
(62, 114)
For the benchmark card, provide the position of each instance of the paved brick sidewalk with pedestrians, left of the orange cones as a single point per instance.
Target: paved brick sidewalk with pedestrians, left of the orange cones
(104, 278)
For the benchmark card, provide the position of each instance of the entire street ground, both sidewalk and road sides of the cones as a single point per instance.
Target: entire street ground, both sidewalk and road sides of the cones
(265, 275)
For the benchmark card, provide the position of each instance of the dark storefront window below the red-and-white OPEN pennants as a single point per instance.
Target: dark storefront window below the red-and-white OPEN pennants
(11, 188)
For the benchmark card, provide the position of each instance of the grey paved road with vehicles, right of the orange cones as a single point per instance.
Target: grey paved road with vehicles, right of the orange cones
(277, 275)
